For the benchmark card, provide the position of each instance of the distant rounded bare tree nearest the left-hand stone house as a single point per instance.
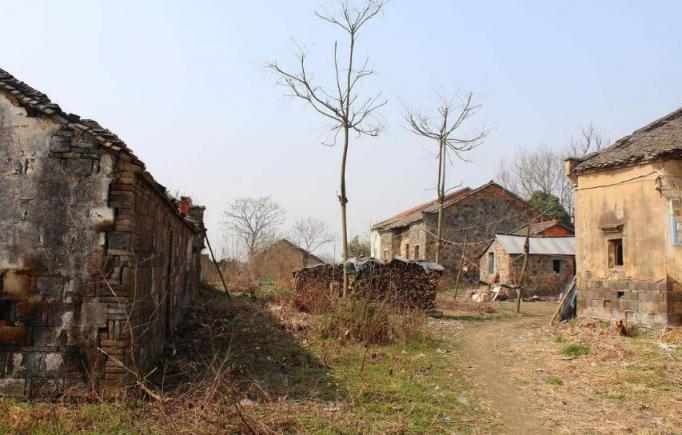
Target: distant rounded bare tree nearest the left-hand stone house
(254, 221)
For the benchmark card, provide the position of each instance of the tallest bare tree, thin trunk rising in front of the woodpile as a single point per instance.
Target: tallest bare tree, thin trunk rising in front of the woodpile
(340, 104)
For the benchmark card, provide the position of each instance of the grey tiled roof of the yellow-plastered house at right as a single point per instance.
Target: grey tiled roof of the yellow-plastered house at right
(662, 137)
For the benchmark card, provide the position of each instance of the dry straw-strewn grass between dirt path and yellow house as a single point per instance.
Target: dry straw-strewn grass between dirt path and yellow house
(611, 384)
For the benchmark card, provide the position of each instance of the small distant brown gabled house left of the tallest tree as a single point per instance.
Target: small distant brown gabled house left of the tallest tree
(279, 260)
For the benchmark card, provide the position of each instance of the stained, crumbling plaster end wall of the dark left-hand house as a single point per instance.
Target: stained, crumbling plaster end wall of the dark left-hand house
(53, 202)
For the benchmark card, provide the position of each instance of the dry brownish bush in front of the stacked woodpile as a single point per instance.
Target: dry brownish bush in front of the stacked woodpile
(369, 322)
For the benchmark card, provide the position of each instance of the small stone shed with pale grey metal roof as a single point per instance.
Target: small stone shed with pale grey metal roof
(551, 263)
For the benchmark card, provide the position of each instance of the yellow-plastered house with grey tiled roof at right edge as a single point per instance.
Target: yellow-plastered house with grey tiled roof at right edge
(628, 221)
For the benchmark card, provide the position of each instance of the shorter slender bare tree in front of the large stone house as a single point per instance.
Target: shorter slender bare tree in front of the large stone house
(444, 129)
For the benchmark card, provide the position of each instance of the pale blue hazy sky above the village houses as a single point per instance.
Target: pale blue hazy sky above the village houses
(184, 85)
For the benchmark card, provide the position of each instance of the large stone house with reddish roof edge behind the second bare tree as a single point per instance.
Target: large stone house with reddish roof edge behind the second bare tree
(474, 215)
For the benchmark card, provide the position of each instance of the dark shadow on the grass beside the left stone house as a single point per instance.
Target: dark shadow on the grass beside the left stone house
(257, 354)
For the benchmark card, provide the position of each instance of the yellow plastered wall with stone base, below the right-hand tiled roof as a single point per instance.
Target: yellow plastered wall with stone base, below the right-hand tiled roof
(624, 203)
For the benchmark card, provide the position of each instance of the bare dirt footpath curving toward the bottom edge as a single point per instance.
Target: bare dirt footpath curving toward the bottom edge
(495, 369)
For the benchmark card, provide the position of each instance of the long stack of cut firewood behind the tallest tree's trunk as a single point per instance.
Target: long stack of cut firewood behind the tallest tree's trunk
(402, 284)
